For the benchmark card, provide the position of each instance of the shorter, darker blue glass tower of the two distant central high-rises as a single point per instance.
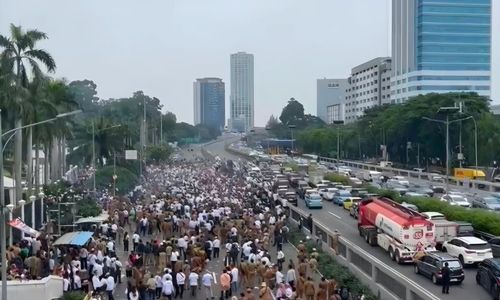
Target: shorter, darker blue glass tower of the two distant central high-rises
(209, 104)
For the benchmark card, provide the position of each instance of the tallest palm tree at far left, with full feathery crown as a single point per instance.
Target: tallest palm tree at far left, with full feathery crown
(19, 54)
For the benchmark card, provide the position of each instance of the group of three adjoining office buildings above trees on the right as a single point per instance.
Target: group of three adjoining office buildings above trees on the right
(437, 47)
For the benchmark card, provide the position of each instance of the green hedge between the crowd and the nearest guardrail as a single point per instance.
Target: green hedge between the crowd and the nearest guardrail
(329, 268)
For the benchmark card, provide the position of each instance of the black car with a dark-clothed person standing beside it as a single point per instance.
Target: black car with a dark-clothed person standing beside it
(430, 265)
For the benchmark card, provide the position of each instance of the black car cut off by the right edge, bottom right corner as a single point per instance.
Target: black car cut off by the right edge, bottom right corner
(488, 276)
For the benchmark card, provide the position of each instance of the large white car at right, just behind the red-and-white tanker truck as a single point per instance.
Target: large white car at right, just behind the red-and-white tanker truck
(468, 249)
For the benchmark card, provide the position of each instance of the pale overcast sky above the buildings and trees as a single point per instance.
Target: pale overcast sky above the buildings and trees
(162, 46)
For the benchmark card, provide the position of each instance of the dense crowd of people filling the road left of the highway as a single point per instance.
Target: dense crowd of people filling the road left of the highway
(198, 230)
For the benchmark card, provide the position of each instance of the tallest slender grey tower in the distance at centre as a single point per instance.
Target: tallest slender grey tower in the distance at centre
(241, 97)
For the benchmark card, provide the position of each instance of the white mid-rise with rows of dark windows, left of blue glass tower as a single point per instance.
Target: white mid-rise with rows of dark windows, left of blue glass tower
(369, 85)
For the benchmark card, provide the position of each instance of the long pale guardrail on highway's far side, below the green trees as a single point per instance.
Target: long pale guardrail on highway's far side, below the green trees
(474, 184)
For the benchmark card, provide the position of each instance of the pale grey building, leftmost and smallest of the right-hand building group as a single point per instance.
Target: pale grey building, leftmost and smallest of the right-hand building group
(330, 99)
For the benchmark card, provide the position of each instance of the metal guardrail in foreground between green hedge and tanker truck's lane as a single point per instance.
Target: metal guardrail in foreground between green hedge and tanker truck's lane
(385, 281)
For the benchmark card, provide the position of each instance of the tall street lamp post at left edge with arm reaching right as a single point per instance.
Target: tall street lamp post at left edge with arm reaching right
(10, 206)
